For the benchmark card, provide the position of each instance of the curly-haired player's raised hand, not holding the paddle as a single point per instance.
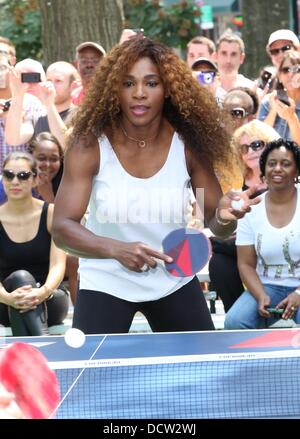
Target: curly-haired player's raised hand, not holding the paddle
(234, 205)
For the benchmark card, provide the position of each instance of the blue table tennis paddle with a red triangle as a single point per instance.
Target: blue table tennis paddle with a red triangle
(190, 250)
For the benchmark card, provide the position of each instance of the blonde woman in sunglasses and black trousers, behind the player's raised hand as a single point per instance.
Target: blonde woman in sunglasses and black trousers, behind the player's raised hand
(249, 142)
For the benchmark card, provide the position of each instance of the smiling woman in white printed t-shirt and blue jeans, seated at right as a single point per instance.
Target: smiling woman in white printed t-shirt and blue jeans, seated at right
(268, 243)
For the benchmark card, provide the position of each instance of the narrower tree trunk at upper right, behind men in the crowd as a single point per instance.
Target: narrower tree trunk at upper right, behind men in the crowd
(261, 18)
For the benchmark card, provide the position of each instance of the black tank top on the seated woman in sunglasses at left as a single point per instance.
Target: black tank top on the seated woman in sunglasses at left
(32, 256)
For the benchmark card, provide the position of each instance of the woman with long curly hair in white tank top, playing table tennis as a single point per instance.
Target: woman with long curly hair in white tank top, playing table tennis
(145, 131)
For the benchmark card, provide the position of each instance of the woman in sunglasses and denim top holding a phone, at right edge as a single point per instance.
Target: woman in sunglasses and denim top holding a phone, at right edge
(281, 108)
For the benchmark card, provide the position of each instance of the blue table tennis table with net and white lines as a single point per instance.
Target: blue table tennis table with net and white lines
(195, 375)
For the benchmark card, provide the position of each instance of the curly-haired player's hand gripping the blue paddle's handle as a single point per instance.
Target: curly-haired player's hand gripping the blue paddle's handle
(136, 255)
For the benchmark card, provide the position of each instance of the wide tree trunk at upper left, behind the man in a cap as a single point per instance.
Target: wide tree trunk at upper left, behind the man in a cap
(67, 23)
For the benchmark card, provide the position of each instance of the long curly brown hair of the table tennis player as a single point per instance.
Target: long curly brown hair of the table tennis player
(190, 108)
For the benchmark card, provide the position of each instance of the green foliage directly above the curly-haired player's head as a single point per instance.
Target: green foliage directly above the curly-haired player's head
(173, 25)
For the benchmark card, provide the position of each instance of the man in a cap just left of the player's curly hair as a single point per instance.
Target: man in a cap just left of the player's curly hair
(88, 56)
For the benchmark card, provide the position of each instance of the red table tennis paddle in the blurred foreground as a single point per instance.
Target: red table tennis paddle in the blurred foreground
(24, 371)
